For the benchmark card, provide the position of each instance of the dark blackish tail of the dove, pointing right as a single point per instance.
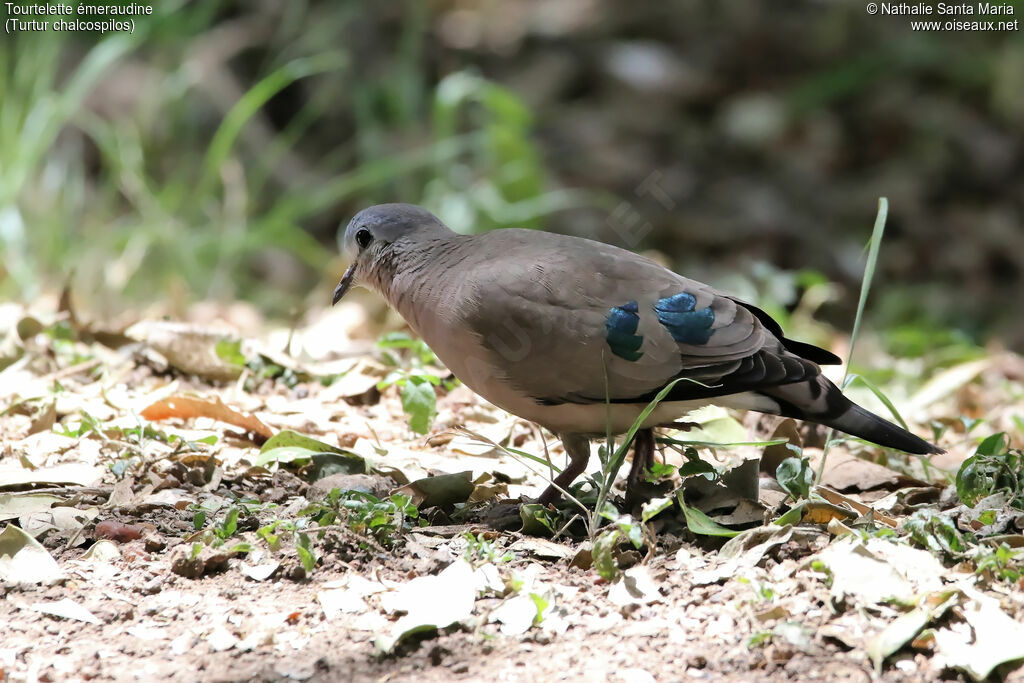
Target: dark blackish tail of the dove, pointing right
(821, 401)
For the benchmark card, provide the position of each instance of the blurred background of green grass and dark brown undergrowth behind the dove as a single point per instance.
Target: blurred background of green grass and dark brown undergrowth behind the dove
(214, 154)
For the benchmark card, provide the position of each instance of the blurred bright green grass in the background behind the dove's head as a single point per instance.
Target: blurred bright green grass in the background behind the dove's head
(122, 174)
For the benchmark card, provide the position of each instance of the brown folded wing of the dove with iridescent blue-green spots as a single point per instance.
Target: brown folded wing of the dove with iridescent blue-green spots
(570, 321)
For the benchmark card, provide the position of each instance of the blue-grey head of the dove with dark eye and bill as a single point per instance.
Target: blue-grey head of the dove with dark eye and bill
(374, 235)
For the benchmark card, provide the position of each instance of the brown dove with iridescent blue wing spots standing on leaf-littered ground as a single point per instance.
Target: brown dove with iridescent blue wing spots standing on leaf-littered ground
(579, 336)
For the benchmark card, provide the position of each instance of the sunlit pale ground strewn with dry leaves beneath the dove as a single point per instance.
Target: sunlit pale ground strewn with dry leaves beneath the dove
(131, 573)
